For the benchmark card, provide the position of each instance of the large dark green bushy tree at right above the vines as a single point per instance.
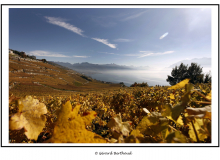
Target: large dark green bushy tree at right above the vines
(193, 72)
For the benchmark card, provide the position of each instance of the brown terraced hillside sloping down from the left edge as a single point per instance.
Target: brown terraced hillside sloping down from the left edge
(33, 77)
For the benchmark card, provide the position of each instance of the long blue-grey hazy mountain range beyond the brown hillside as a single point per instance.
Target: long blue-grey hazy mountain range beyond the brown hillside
(97, 68)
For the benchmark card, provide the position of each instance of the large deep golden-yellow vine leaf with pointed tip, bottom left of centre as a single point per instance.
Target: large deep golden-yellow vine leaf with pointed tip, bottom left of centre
(71, 127)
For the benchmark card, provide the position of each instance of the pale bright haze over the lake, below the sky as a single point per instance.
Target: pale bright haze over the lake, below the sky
(130, 74)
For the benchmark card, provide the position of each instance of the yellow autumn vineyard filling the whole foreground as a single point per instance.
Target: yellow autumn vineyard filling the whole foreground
(177, 114)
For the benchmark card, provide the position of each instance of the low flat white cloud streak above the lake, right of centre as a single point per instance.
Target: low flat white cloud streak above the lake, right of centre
(148, 53)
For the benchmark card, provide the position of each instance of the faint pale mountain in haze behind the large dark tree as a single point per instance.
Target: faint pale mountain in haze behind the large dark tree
(203, 62)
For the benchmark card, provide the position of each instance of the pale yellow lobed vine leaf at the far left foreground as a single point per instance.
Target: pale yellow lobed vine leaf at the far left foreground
(30, 116)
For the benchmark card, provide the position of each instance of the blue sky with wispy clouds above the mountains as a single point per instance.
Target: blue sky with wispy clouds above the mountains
(125, 36)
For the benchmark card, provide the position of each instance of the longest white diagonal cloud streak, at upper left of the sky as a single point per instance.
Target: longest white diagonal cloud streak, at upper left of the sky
(61, 22)
